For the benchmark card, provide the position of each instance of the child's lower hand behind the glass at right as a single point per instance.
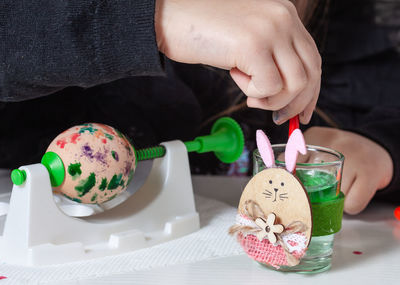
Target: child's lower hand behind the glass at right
(368, 167)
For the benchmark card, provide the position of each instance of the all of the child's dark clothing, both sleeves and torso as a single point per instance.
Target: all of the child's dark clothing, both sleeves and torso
(100, 62)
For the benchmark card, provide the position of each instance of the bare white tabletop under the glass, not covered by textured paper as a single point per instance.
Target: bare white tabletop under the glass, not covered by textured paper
(375, 233)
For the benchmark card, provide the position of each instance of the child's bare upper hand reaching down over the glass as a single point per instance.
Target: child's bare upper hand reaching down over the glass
(263, 43)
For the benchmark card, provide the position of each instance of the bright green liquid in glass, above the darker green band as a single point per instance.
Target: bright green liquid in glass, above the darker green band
(321, 186)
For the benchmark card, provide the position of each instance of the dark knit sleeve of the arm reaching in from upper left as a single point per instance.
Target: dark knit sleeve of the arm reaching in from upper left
(47, 45)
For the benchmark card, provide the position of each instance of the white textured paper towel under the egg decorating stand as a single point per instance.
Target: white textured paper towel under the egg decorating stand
(211, 241)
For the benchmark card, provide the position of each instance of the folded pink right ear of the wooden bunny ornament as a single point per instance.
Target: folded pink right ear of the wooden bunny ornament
(294, 145)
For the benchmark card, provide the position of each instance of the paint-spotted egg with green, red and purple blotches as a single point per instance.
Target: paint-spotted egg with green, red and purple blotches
(99, 162)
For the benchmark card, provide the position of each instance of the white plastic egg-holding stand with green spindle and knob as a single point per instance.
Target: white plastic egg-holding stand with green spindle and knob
(43, 227)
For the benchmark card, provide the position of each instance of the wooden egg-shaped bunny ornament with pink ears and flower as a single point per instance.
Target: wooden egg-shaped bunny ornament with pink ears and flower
(274, 219)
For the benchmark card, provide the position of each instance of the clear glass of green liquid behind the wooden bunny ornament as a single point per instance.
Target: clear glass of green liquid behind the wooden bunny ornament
(320, 171)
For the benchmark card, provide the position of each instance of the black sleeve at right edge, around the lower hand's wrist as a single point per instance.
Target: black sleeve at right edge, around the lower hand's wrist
(383, 126)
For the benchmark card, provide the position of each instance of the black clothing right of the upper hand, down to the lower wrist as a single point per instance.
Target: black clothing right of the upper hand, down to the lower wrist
(361, 75)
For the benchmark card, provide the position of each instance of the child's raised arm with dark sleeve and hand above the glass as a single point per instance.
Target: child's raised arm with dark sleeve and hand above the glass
(47, 45)
